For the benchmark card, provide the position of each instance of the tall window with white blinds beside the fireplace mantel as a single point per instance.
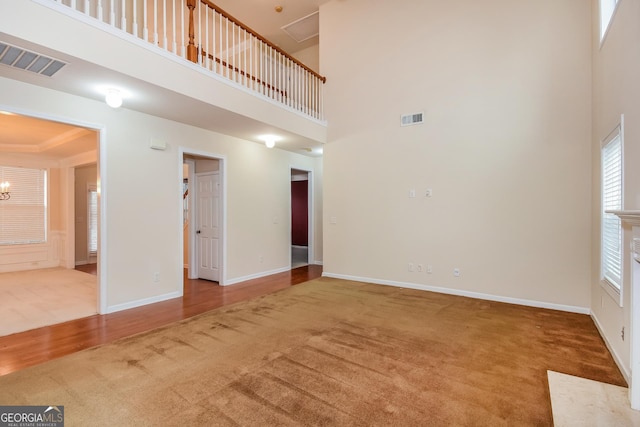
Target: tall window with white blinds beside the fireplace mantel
(612, 200)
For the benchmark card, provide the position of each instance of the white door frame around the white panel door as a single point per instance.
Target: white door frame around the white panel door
(193, 250)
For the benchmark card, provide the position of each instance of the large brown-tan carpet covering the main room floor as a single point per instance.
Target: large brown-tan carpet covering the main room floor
(327, 352)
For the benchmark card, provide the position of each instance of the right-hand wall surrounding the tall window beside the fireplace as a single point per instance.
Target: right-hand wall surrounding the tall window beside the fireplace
(616, 67)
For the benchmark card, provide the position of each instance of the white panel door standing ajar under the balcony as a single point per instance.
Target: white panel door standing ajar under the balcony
(207, 225)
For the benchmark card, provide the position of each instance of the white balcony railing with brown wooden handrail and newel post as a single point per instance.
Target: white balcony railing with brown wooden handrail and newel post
(199, 31)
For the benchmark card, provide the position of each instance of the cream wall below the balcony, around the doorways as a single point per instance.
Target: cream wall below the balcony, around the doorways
(141, 194)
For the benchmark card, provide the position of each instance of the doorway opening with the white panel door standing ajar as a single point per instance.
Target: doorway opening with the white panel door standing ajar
(203, 225)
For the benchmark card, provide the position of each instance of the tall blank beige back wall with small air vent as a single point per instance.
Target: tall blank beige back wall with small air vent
(506, 91)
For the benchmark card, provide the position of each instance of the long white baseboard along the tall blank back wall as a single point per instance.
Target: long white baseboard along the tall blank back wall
(458, 292)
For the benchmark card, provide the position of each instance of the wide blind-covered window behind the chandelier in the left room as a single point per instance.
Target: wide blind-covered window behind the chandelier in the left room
(23, 218)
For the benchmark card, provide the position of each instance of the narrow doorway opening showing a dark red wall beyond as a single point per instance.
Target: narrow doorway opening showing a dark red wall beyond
(301, 215)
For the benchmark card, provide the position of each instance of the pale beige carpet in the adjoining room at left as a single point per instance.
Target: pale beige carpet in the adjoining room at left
(32, 299)
